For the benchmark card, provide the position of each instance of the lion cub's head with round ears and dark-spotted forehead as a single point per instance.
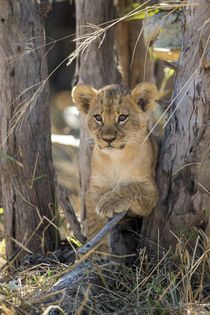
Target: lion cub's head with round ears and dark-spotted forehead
(116, 116)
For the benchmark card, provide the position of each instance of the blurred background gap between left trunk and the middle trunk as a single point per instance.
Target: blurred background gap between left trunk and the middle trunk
(60, 32)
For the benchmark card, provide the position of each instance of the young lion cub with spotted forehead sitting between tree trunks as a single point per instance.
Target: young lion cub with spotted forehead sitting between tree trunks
(124, 158)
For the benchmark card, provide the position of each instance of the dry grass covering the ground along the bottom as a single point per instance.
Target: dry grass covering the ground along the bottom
(178, 282)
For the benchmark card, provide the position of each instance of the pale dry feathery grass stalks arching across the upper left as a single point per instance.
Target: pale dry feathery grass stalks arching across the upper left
(94, 32)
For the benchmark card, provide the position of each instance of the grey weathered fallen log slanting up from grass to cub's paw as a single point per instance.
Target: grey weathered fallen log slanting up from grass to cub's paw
(68, 294)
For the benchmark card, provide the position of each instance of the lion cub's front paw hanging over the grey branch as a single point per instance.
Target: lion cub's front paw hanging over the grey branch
(110, 204)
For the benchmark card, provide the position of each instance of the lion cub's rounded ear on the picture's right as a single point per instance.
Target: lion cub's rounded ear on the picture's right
(144, 95)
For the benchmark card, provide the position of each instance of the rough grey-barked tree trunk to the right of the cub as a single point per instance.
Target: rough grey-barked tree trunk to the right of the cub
(183, 175)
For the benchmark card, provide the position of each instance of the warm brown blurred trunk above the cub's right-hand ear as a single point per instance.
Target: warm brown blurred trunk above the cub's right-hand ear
(135, 61)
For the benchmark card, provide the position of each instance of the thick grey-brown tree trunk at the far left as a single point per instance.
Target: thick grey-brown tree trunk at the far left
(26, 167)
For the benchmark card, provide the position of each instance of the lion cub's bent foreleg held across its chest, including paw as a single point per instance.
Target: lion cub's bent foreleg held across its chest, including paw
(139, 197)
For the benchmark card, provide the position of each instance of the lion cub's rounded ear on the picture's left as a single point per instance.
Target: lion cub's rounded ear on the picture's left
(82, 96)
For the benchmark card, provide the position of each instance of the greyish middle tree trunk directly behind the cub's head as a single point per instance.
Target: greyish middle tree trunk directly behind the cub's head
(97, 67)
